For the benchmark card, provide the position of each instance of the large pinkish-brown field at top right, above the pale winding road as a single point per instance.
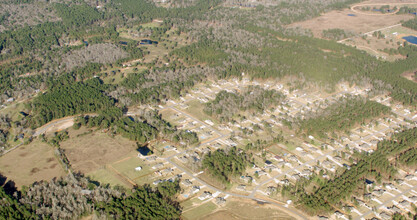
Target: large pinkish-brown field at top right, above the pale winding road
(361, 23)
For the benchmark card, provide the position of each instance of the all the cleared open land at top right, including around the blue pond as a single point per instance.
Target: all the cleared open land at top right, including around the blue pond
(358, 22)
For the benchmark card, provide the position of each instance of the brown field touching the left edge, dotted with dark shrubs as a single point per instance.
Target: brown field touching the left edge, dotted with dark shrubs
(30, 163)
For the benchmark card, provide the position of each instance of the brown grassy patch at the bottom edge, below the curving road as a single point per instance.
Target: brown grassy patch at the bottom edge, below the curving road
(247, 209)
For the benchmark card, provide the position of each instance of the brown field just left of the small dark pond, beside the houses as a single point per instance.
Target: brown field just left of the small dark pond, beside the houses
(92, 151)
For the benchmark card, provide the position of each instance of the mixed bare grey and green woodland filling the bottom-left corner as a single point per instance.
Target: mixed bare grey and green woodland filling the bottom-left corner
(73, 197)
